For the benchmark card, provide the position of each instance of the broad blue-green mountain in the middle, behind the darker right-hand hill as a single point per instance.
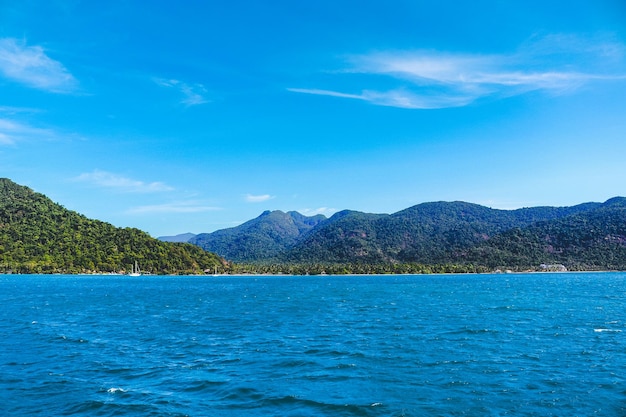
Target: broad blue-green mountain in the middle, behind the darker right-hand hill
(426, 233)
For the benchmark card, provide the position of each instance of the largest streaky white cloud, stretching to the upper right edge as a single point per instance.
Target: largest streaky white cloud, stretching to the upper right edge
(432, 79)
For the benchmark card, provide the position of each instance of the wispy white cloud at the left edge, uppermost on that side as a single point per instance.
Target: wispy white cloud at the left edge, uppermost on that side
(29, 65)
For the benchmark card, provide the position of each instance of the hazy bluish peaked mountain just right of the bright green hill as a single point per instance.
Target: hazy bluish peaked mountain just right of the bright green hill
(260, 239)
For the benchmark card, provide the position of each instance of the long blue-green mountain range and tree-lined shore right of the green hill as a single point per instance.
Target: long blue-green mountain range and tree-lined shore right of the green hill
(430, 237)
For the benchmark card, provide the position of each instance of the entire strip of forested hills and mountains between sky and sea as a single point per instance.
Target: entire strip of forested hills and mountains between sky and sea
(39, 236)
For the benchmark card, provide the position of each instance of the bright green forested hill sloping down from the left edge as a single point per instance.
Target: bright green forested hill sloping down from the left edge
(40, 236)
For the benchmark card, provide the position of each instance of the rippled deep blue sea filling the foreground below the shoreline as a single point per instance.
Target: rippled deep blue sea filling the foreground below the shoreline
(544, 344)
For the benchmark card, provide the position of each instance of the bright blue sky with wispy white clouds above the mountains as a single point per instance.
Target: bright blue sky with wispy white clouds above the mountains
(194, 116)
